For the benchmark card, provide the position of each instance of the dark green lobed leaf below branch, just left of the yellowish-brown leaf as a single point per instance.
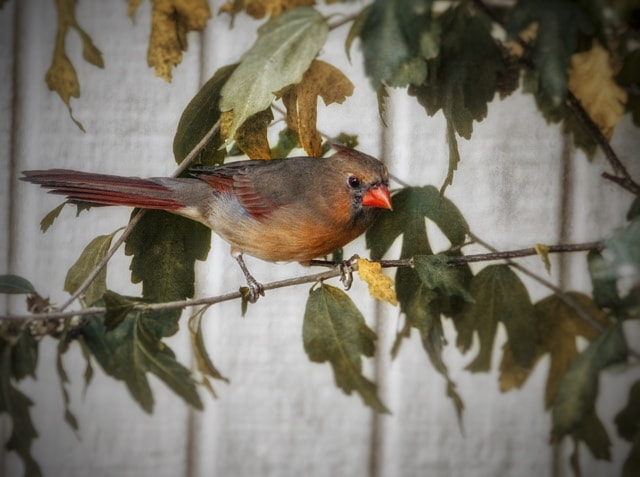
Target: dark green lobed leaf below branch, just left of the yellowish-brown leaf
(500, 296)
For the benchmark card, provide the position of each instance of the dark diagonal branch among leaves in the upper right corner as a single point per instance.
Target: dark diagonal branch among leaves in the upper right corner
(622, 176)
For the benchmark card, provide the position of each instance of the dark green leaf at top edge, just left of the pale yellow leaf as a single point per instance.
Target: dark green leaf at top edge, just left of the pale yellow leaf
(560, 23)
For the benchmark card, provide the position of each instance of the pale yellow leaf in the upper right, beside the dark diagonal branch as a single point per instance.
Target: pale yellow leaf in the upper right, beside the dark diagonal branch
(591, 81)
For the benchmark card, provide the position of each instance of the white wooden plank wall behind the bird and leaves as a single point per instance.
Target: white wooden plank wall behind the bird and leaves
(281, 415)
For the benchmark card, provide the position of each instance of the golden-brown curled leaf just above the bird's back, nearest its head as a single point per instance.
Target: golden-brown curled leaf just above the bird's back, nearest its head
(301, 101)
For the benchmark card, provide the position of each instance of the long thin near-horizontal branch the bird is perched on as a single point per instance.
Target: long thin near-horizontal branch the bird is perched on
(336, 272)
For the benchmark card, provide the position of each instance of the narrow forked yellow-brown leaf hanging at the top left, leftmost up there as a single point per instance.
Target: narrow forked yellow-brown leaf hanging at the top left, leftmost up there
(61, 76)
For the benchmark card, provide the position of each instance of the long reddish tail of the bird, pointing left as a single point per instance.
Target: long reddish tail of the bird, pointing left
(103, 189)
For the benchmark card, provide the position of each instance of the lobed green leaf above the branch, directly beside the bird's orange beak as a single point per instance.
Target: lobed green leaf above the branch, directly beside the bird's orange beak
(410, 206)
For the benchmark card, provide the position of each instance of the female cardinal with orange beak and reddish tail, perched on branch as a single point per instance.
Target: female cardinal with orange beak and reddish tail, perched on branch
(293, 209)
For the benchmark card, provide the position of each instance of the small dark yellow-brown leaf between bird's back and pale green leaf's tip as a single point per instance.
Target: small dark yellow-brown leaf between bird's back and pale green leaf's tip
(251, 138)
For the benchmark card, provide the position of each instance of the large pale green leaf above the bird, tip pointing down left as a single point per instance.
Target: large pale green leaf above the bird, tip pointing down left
(285, 47)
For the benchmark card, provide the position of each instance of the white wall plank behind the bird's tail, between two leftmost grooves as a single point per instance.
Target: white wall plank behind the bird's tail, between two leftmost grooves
(130, 117)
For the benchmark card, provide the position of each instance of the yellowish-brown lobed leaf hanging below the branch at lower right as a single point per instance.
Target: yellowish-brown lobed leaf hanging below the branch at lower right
(558, 324)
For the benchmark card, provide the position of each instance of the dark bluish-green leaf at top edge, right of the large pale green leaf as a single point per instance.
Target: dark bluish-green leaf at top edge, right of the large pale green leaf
(391, 35)
